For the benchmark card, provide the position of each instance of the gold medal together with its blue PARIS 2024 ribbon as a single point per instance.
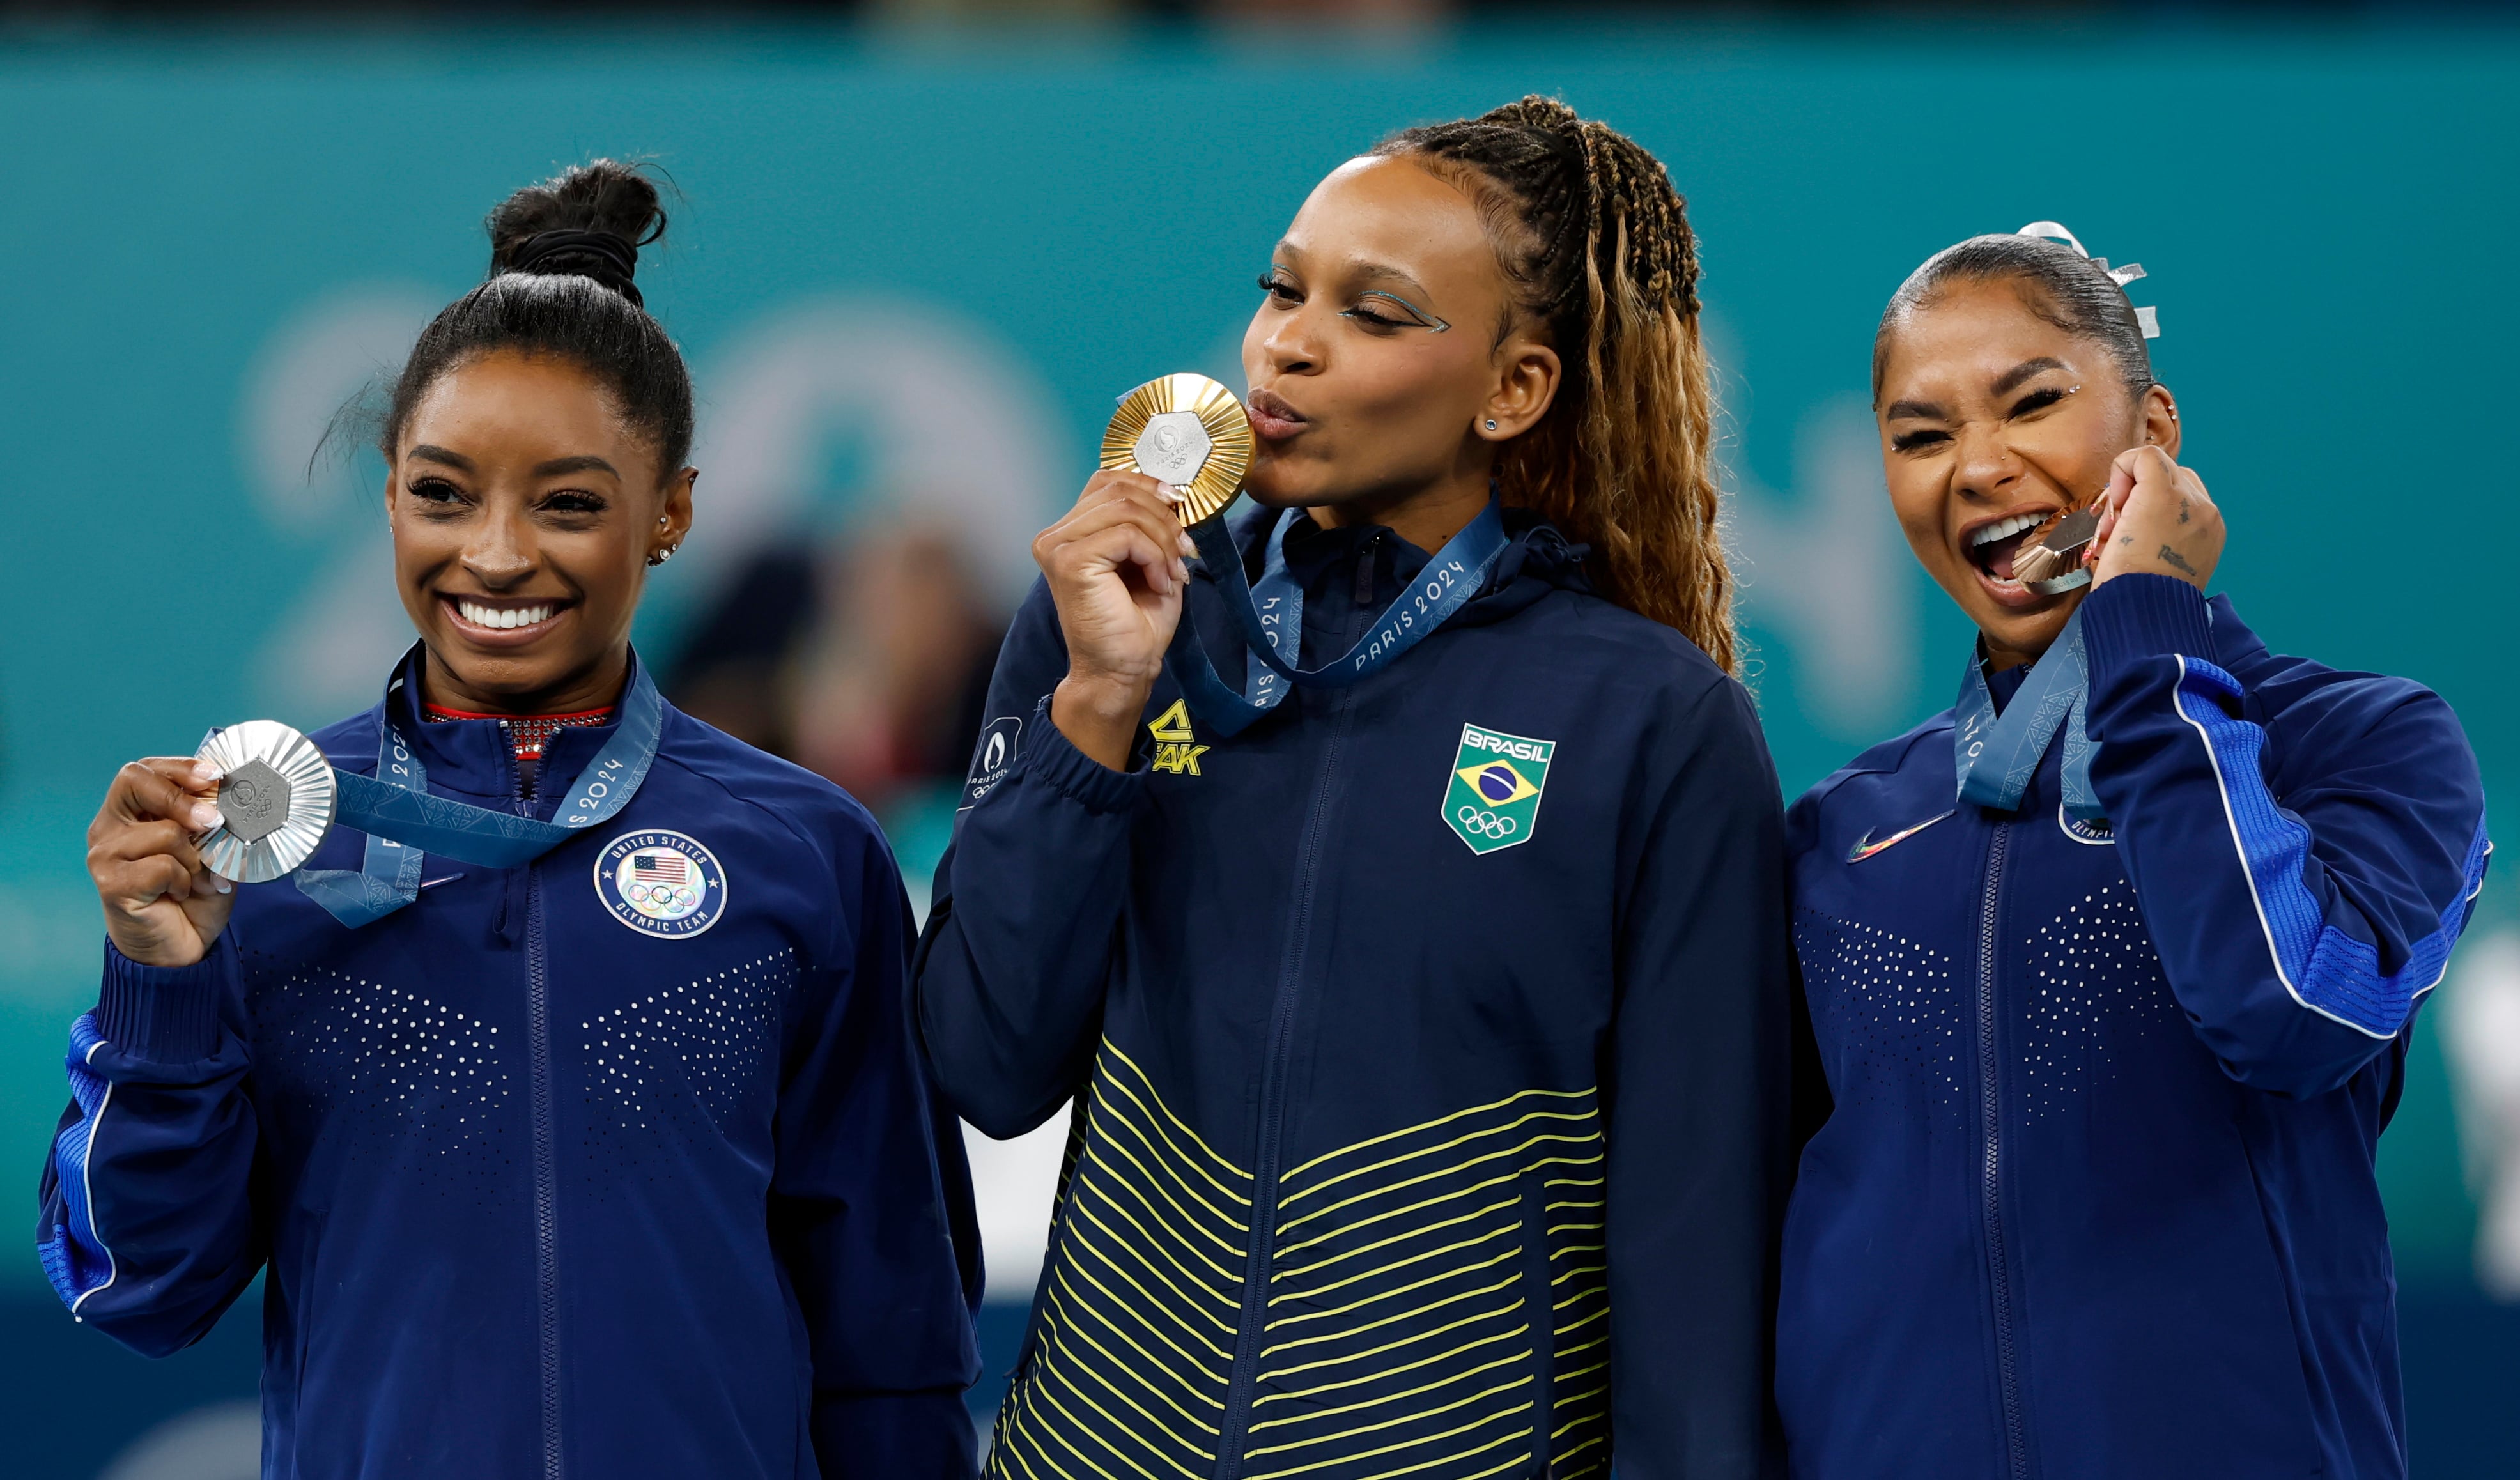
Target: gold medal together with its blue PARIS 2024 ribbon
(1193, 435)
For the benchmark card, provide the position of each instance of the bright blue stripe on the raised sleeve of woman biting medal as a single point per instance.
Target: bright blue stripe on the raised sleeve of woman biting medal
(2325, 969)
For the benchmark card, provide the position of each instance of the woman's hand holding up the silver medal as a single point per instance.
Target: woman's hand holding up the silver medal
(163, 906)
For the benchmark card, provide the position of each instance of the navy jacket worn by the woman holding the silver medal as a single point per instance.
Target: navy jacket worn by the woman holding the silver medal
(548, 1186)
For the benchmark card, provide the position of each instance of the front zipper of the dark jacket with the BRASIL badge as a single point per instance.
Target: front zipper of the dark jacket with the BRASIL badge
(1281, 1050)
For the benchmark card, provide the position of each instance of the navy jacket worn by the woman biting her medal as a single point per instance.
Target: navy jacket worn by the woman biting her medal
(2095, 1196)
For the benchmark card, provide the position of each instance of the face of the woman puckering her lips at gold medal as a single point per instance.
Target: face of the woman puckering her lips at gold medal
(1377, 359)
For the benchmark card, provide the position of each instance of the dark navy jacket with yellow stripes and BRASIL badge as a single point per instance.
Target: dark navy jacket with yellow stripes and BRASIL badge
(1412, 1138)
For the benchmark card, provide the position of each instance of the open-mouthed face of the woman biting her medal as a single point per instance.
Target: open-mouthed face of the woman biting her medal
(1995, 422)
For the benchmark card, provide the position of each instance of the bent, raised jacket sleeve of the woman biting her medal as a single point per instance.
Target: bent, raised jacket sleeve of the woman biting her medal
(2302, 929)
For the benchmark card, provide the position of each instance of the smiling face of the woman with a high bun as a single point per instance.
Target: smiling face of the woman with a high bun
(523, 521)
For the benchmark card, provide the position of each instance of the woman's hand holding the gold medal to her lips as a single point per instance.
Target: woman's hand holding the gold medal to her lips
(1118, 576)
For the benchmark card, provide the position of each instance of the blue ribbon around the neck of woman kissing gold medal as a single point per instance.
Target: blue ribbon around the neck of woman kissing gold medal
(1271, 619)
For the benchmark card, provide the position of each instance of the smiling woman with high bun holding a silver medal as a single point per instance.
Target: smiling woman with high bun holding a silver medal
(553, 1058)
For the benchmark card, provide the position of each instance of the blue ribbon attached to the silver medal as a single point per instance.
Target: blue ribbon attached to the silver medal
(407, 823)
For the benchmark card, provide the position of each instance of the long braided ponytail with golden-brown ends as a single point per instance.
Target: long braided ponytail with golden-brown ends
(1599, 251)
